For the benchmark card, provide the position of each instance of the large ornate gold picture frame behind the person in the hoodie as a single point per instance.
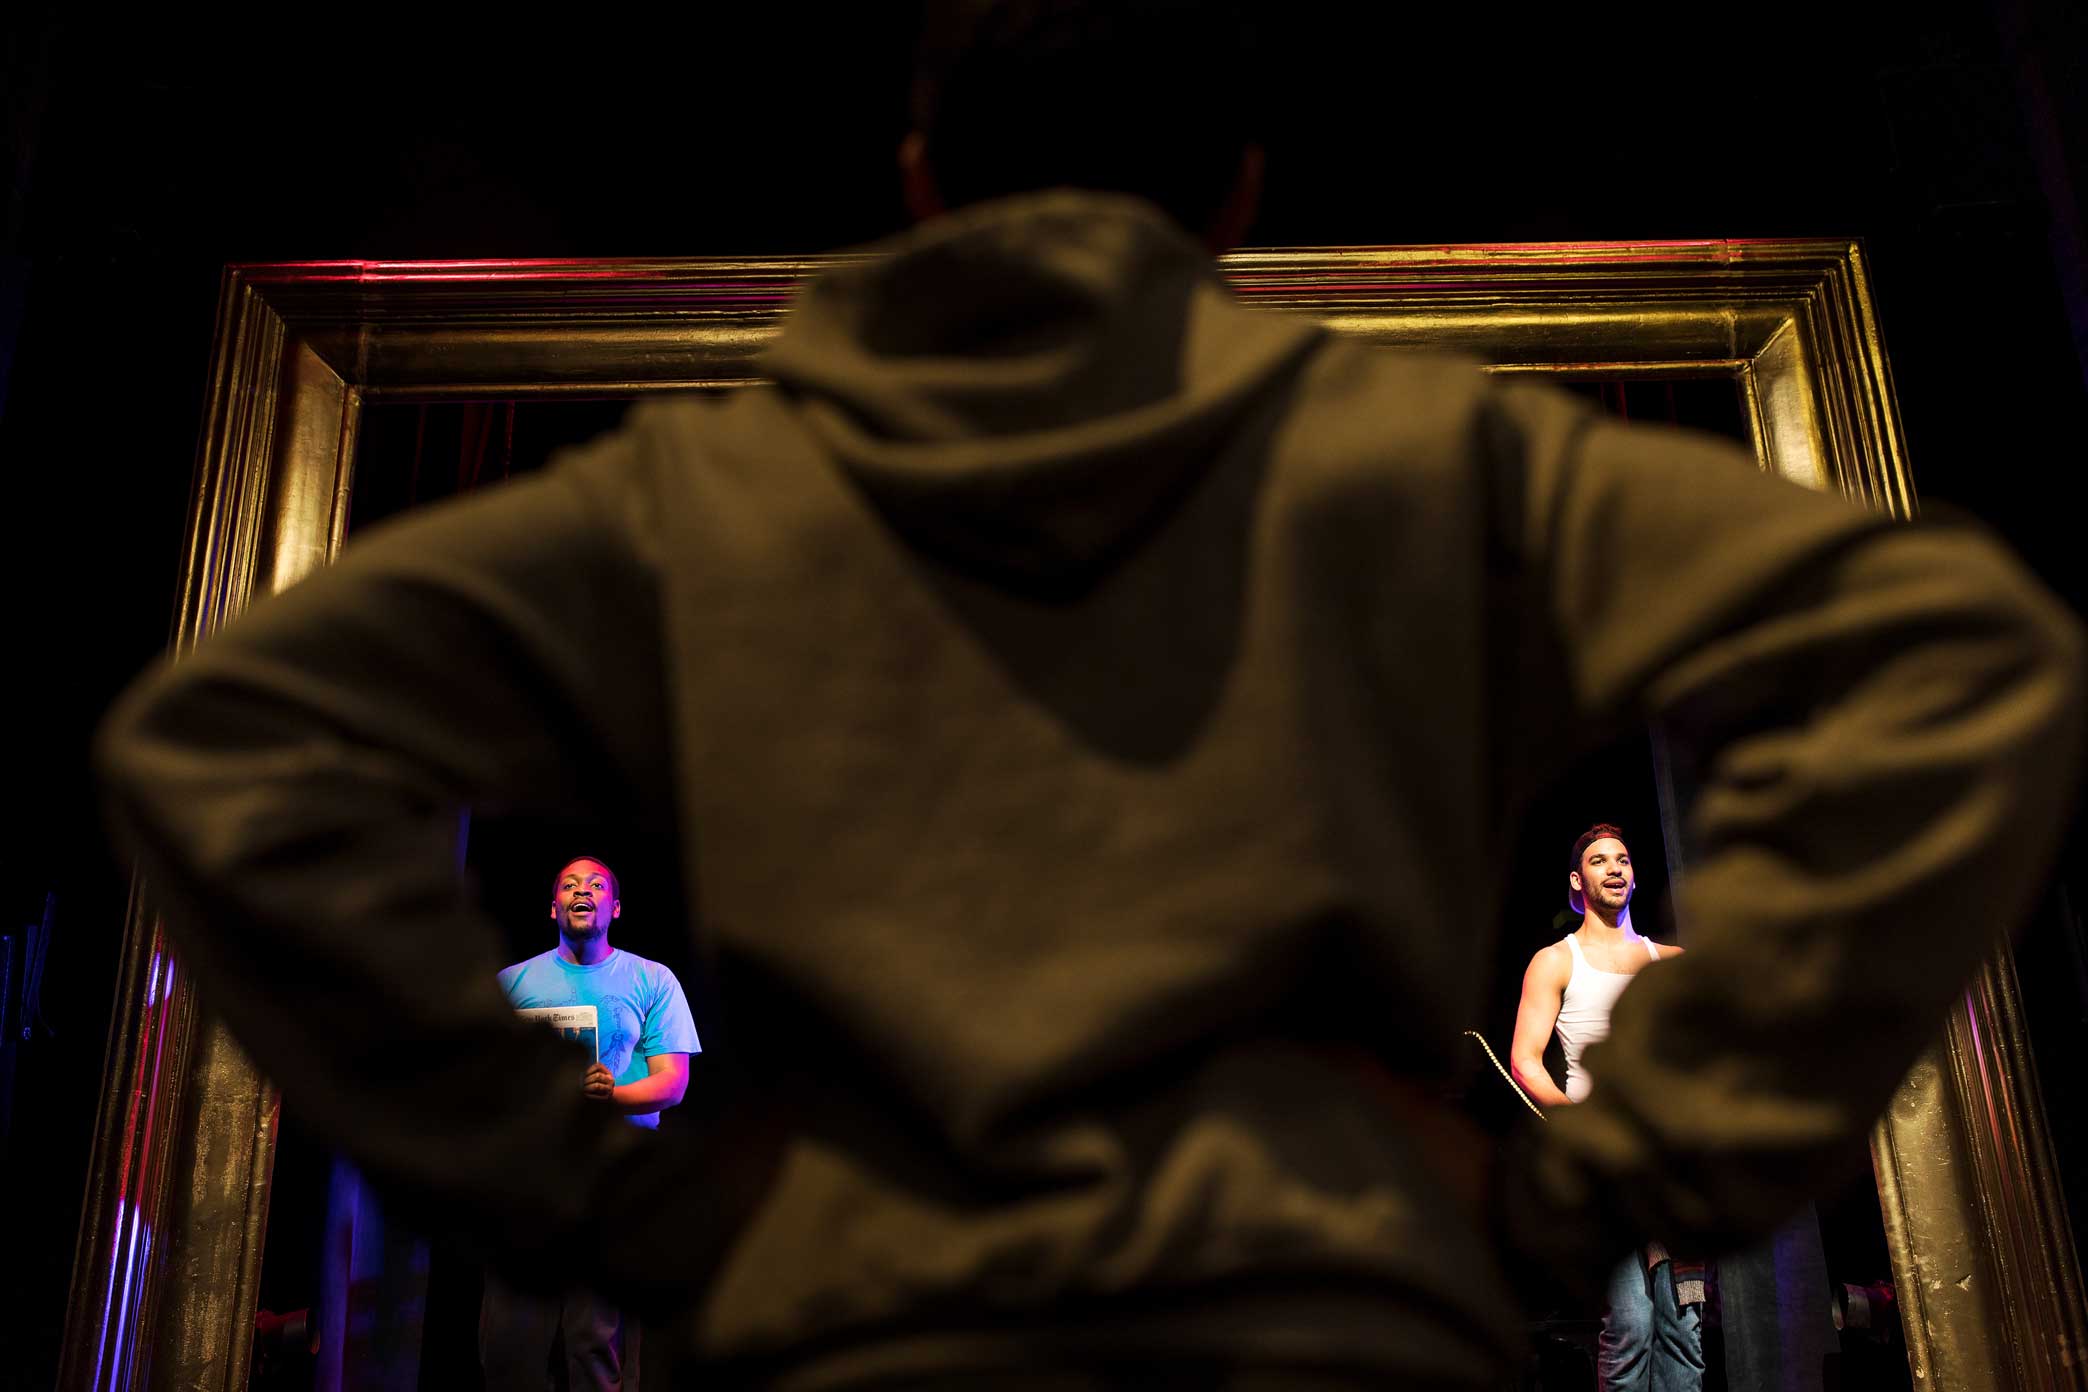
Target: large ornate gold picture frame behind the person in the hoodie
(170, 1247)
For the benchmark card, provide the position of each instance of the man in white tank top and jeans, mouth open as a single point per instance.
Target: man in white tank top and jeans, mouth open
(1648, 1337)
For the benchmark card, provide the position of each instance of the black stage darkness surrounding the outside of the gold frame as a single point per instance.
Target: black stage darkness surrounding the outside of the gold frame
(147, 153)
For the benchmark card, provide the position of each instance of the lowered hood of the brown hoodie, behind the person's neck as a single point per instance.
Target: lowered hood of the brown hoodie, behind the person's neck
(1028, 385)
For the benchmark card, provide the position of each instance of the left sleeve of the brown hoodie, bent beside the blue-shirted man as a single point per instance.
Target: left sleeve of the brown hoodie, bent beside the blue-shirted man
(291, 792)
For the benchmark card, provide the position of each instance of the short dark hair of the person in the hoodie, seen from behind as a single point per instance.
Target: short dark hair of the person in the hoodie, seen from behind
(1139, 97)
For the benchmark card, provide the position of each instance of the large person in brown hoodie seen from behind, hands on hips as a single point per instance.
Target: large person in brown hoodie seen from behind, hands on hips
(1093, 717)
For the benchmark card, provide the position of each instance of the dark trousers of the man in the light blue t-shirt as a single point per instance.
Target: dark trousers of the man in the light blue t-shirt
(573, 1343)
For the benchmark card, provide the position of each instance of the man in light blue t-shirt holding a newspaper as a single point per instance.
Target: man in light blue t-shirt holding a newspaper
(644, 1038)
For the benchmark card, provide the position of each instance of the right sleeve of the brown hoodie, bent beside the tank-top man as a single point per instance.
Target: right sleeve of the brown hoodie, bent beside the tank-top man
(1880, 725)
